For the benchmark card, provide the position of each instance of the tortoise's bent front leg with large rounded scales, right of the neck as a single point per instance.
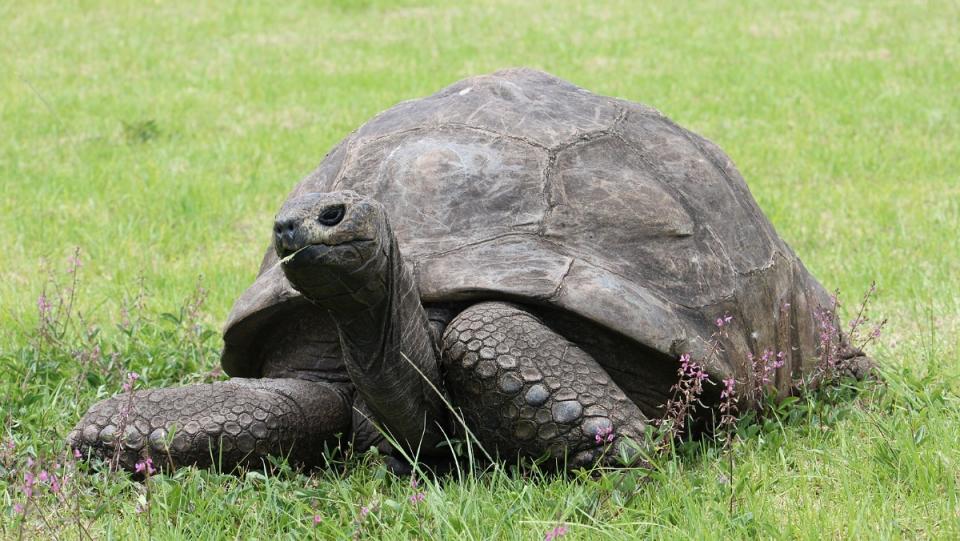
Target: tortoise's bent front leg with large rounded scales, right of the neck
(525, 389)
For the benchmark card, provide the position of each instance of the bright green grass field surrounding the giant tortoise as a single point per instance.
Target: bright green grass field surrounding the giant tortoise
(160, 138)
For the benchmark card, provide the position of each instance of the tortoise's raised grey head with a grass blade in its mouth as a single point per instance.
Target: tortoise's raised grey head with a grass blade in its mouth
(335, 248)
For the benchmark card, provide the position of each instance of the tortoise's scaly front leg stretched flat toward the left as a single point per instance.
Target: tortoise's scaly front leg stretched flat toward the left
(226, 424)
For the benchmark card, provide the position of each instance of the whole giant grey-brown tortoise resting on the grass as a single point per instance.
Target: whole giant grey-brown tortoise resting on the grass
(531, 253)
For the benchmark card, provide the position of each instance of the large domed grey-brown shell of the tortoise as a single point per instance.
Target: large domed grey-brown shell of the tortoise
(522, 186)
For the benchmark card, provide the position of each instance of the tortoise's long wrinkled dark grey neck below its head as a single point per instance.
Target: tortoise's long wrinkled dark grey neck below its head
(387, 347)
